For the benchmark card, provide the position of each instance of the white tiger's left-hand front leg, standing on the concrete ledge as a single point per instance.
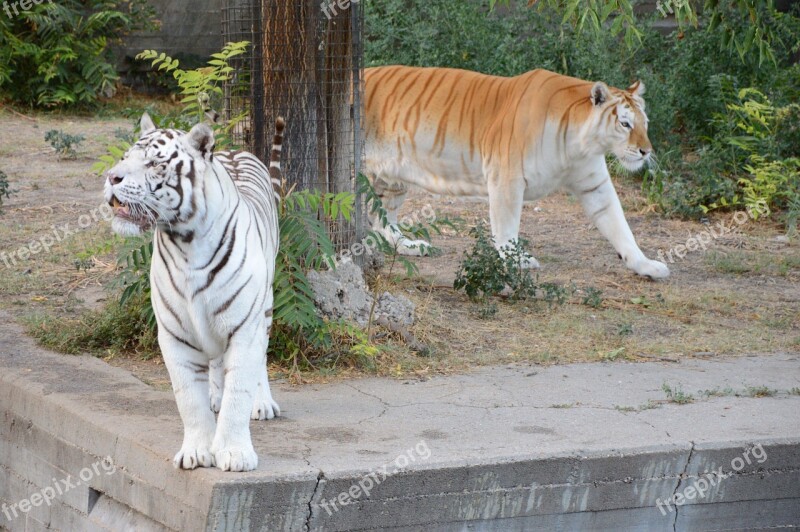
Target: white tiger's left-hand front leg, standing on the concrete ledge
(188, 371)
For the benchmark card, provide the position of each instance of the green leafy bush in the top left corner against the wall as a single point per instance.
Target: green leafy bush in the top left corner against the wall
(59, 53)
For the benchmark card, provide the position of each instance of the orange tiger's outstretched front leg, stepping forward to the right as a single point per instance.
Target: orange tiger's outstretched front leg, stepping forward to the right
(602, 206)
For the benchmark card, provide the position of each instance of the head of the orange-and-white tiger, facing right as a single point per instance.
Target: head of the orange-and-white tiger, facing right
(622, 123)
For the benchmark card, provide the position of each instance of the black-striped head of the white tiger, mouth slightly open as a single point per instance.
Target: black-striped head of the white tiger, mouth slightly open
(154, 183)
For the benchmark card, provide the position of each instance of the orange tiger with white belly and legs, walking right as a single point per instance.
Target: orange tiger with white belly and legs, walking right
(516, 139)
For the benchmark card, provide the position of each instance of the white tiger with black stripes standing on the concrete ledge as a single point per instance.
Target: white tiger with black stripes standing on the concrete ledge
(215, 243)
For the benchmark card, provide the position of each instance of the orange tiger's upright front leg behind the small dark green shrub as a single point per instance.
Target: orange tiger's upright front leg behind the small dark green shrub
(505, 211)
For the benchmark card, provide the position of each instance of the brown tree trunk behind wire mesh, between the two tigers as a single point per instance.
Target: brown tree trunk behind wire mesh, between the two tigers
(304, 71)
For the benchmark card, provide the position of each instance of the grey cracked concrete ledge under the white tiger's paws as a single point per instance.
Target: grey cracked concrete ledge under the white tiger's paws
(511, 448)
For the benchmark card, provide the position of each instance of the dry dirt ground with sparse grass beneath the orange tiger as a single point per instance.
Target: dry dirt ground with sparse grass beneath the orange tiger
(740, 295)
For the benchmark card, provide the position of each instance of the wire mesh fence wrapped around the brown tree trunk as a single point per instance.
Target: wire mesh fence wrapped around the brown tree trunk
(305, 64)
